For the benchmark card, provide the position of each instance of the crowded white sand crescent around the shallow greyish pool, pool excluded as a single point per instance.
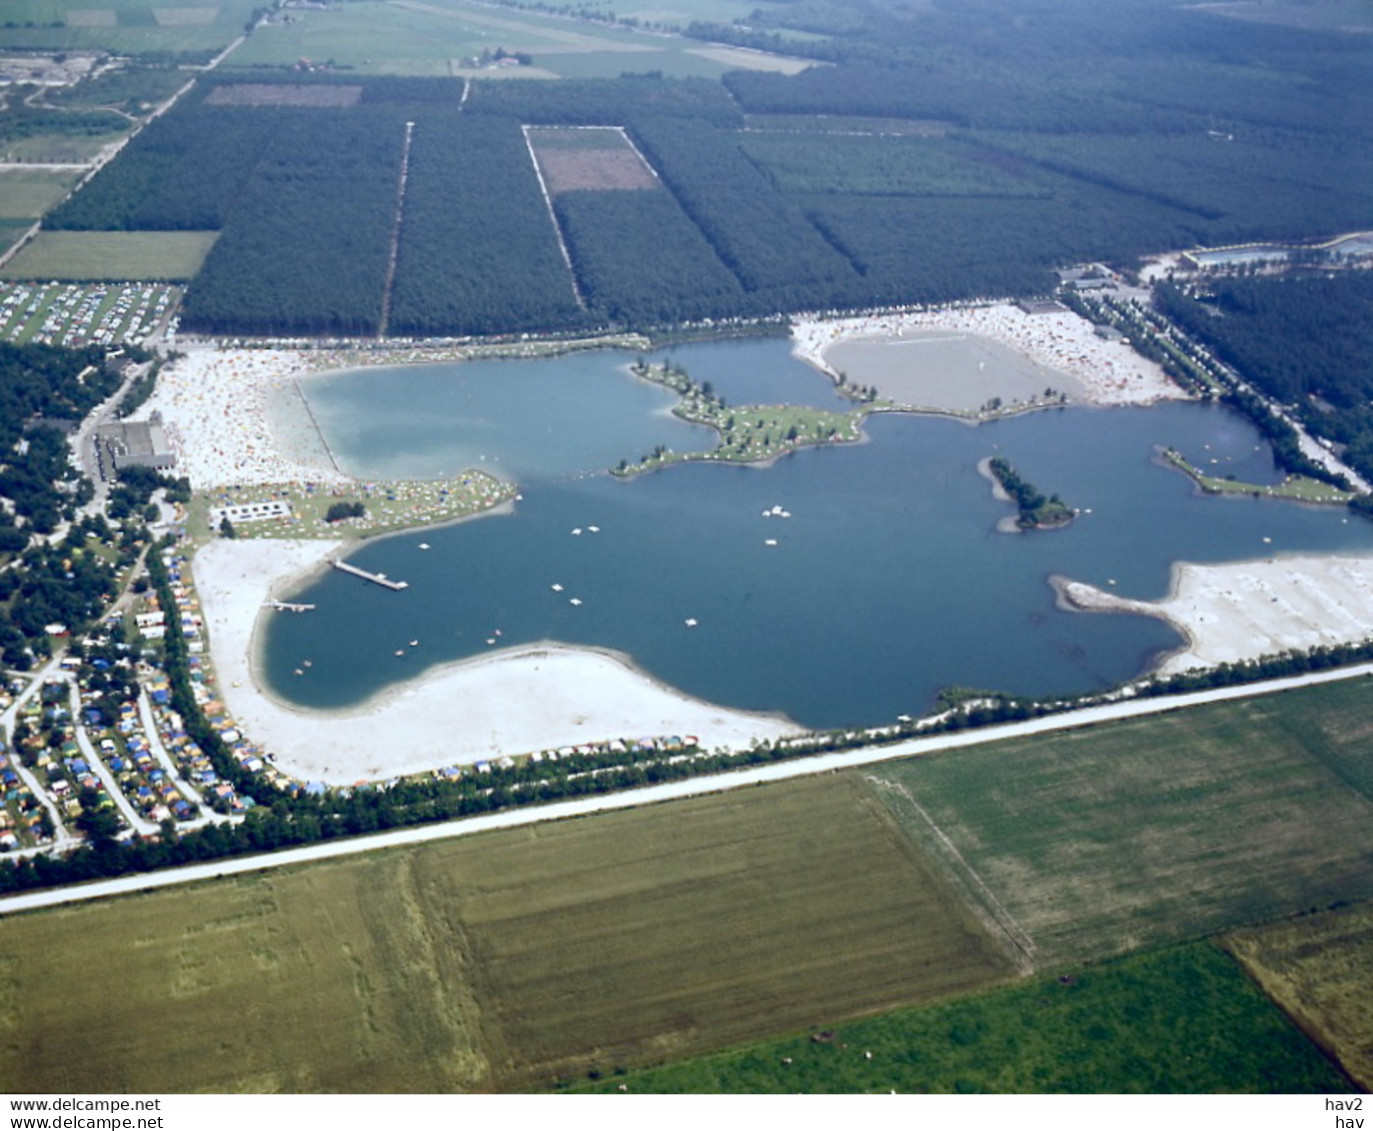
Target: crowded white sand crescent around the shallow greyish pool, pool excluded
(1111, 373)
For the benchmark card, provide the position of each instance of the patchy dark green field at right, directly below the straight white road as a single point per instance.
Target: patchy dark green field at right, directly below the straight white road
(1098, 842)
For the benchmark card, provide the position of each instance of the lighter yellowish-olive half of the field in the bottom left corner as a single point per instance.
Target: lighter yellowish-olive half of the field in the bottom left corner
(332, 979)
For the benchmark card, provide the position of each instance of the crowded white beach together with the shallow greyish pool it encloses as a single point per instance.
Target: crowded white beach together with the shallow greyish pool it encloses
(1062, 349)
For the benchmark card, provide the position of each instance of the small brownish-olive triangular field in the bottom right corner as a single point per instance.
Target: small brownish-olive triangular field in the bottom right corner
(1320, 970)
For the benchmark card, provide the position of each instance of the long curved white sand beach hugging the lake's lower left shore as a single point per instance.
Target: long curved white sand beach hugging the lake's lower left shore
(513, 702)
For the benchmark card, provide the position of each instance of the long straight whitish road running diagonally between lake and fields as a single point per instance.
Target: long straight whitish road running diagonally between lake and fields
(673, 791)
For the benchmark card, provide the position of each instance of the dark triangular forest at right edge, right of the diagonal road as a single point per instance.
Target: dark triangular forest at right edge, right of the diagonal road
(1304, 341)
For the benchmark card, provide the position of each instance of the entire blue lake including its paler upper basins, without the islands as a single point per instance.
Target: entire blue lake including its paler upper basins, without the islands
(884, 581)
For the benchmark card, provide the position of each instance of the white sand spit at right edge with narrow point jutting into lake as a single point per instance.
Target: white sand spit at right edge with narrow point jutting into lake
(1245, 610)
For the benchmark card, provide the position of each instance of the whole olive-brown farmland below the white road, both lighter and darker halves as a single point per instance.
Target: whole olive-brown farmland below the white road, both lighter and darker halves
(511, 960)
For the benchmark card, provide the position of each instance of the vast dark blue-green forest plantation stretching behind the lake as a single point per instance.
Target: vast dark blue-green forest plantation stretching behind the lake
(934, 153)
